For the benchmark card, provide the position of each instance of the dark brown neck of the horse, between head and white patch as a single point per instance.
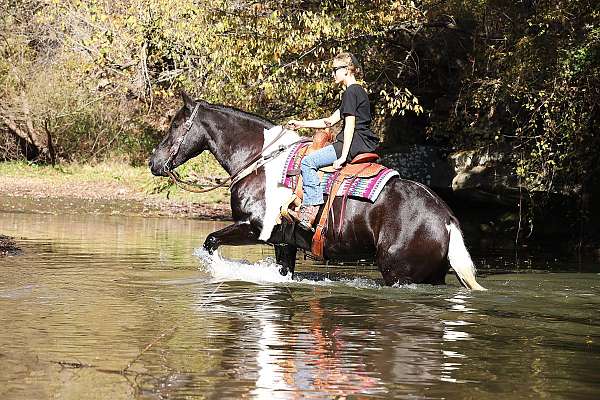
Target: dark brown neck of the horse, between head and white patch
(234, 145)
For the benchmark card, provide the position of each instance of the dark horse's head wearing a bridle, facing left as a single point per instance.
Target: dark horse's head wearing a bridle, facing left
(185, 139)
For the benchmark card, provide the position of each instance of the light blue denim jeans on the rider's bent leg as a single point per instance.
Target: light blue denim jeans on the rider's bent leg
(313, 192)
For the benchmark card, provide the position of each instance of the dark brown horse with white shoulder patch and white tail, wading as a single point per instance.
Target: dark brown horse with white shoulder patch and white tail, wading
(408, 231)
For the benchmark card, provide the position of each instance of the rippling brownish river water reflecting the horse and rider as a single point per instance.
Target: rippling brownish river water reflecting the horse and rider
(118, 307)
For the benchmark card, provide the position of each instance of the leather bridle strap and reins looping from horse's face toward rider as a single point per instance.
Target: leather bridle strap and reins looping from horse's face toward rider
(248, 168)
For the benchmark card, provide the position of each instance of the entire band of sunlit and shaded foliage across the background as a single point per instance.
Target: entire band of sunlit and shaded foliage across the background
(103, 76)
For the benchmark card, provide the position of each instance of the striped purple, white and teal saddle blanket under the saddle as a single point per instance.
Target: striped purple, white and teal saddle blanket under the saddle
(365, 188)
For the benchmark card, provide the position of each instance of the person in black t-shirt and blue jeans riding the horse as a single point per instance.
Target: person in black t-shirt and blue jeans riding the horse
(355, 137)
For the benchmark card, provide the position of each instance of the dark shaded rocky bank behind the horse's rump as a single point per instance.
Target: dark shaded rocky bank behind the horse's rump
(494, 207)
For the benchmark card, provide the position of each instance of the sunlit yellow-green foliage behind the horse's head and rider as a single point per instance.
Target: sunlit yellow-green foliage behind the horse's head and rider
(116, 66)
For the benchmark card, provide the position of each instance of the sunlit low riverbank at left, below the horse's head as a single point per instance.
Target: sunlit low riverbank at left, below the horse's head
(107, 188)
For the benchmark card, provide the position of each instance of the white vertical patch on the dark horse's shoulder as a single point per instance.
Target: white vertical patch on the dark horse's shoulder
(275, 193)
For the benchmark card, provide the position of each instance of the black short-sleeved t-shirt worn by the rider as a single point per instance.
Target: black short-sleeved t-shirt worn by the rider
(355, 101)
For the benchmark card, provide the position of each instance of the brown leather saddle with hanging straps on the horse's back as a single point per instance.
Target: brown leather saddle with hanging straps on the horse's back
(362, 166)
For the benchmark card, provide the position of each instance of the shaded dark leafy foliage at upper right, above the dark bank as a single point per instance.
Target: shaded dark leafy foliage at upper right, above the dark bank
(535, 87)
